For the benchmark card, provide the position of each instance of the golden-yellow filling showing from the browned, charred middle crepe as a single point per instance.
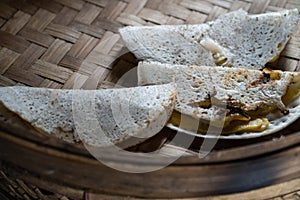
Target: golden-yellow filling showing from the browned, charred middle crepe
(236, 120)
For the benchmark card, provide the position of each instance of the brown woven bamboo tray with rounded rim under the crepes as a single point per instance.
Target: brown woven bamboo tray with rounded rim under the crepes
(67, 44)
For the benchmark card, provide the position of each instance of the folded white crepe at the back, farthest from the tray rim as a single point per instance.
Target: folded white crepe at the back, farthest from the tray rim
(235, 39)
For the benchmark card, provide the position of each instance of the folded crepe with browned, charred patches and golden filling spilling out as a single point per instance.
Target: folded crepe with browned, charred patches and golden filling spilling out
(239, 99)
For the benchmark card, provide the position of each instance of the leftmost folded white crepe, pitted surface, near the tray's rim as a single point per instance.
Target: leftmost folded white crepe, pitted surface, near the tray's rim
(99, 118)
